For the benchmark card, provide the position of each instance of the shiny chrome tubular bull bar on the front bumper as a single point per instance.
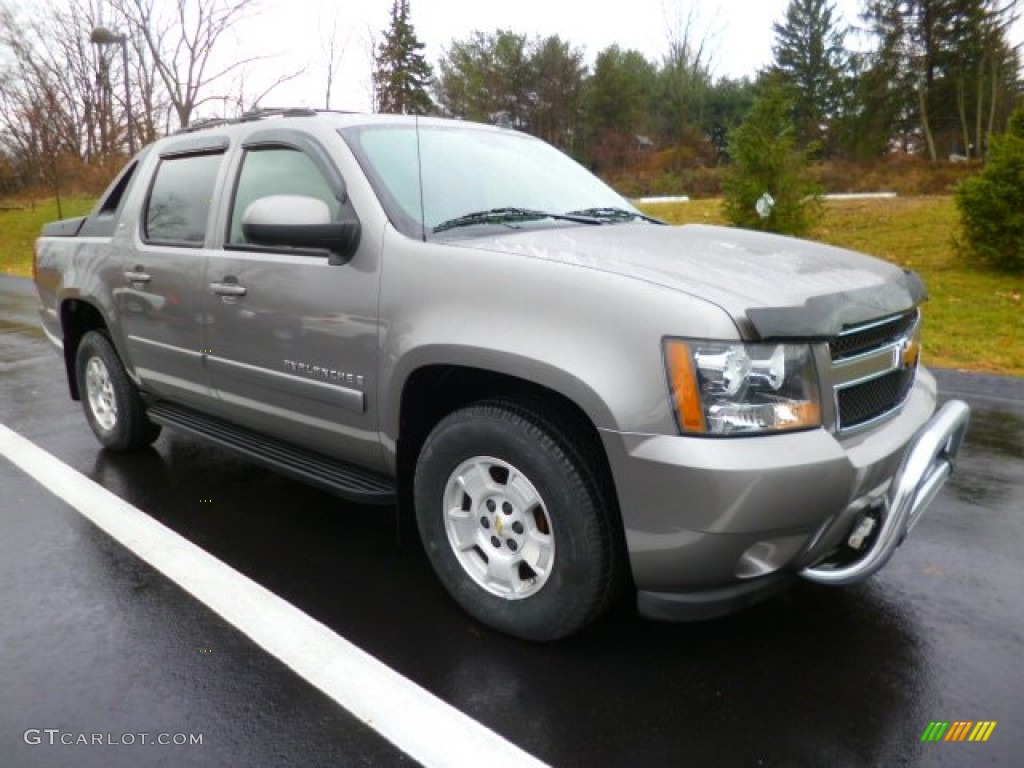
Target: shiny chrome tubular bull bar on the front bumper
(926, 467)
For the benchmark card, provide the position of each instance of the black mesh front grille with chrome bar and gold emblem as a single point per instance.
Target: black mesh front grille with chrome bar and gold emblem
(874, 369)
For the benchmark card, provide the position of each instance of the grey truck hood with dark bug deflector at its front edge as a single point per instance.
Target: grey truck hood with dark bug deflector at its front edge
(785, 288)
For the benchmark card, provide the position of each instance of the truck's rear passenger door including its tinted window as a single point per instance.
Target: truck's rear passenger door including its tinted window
(162, 300)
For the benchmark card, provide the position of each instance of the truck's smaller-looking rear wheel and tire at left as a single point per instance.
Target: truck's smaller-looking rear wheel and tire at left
(110, 400)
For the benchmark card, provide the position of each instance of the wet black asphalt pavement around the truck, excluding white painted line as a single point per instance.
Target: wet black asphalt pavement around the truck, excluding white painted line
(95, 641)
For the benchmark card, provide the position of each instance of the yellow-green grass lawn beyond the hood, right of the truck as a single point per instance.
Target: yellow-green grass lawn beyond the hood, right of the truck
(974, 320)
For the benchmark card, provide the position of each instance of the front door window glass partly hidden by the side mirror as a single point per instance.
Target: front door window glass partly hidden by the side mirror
(278, 170)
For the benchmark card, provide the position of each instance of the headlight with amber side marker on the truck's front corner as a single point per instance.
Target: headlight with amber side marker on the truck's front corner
(732, 389)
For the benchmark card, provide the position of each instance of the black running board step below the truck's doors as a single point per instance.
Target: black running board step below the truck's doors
(344, 480)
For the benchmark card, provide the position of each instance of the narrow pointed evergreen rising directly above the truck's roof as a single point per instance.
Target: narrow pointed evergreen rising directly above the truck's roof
(402, 75)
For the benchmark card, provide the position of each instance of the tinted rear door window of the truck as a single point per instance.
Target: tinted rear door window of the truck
(179, 209)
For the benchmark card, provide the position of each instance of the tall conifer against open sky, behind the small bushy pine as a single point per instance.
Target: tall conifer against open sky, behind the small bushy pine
(813, 64)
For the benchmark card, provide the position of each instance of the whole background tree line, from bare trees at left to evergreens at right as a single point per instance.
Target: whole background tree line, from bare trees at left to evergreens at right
(934, 78)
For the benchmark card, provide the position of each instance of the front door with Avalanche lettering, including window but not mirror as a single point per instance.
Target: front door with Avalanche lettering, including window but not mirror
(293, 339)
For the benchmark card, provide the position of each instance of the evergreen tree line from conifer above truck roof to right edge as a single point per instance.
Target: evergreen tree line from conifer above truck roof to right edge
(937, 78)
